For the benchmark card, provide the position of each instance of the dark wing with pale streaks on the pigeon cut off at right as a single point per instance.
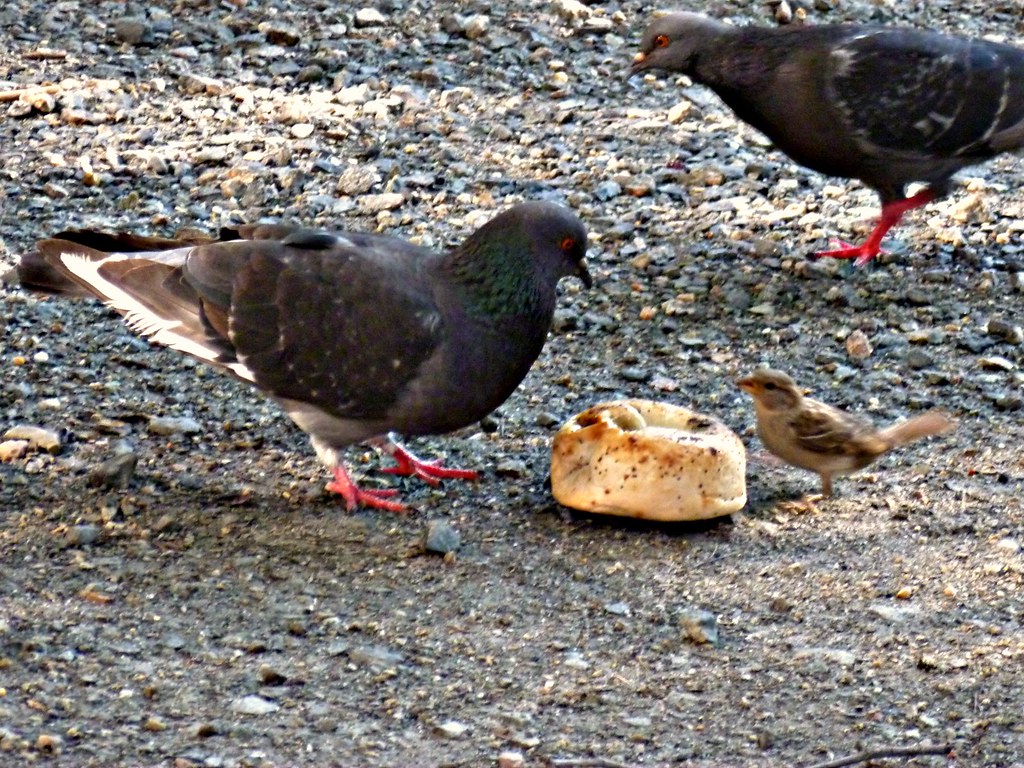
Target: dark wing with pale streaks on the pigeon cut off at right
(922, 95)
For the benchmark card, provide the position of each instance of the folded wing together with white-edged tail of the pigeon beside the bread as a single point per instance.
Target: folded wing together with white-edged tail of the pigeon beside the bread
(342, 325)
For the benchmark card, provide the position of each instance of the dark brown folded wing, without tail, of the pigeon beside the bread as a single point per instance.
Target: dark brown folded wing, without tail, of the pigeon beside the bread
(319, 319)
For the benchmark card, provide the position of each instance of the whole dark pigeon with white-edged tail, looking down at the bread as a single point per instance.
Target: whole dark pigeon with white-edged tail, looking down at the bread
(356, 336)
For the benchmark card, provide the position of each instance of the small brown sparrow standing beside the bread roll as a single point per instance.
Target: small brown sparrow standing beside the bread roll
(814, 436)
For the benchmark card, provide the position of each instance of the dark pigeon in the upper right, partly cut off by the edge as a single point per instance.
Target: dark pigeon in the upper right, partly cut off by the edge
(887, 106)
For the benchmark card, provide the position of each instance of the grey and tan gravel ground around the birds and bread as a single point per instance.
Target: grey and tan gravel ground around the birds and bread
(177, 588)
